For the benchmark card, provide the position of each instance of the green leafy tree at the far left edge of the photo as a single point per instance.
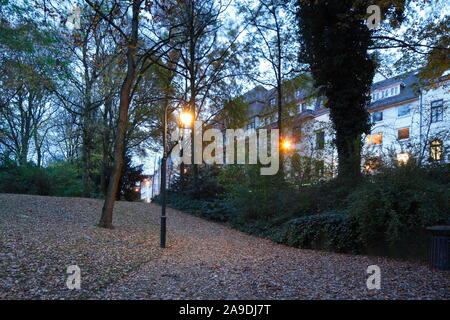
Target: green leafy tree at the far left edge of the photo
(28, 58)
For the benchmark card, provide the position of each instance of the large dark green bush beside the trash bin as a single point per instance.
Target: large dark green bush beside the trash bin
(392, 209)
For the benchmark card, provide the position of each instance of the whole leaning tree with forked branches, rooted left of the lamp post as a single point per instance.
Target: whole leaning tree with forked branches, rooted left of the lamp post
(137, 54)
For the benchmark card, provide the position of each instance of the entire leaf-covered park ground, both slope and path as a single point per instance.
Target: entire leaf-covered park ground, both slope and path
(41, 236)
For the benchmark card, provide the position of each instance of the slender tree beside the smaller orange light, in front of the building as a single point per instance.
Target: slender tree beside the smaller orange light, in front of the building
(272, 39)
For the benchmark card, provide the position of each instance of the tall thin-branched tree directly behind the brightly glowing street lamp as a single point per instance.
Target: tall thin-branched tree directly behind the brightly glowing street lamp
(207, 61)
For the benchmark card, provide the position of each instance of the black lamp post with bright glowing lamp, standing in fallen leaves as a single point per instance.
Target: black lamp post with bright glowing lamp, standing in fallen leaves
(185, 119)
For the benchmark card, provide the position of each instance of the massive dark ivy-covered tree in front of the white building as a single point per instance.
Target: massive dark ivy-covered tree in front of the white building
(335, 41)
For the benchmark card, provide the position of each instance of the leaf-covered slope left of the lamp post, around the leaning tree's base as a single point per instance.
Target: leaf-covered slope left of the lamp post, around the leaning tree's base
(41, 236)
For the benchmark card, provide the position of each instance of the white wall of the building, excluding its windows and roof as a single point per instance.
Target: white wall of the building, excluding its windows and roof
(418, 121)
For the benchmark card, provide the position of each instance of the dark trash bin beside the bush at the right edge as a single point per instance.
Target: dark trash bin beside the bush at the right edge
(439, 250)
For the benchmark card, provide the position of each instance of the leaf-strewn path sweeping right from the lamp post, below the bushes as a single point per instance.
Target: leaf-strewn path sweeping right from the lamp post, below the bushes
(210, 261)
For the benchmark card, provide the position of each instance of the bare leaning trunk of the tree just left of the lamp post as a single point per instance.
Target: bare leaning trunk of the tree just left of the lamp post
(119, 147)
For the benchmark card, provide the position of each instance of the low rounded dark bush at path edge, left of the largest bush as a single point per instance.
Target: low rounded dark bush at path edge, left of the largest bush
(328, 231)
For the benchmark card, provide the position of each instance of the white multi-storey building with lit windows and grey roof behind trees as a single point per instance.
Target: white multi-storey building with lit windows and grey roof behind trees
(408, 121)
